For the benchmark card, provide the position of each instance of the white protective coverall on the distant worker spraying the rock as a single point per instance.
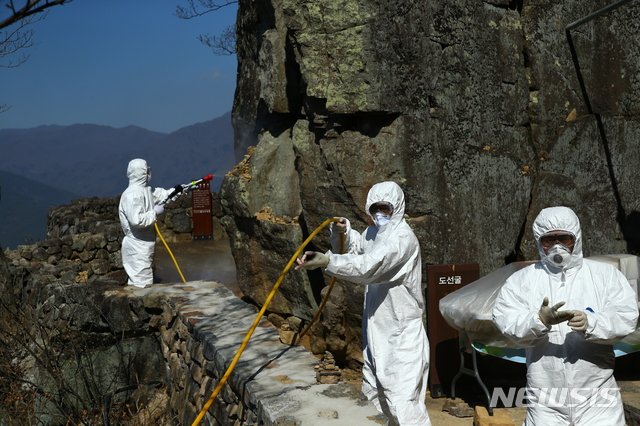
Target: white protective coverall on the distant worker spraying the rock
(137, 217)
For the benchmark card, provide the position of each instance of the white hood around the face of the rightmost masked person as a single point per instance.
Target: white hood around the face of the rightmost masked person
(559, 219)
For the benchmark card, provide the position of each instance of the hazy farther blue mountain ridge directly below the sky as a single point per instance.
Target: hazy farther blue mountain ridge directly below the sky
(91, 160)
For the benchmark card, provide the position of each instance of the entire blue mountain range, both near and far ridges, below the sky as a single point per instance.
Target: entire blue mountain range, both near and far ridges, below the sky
(50, 165)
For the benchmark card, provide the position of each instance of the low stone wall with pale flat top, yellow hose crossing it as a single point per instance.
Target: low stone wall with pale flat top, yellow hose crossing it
(201, 327)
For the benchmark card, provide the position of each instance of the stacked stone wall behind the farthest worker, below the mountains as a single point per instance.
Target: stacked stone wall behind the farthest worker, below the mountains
(84, 239)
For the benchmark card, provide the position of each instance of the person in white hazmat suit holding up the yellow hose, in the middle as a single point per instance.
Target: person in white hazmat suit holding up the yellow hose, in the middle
(386, 259)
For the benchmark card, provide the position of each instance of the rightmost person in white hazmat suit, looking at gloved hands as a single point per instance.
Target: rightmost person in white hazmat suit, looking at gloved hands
(570, 356)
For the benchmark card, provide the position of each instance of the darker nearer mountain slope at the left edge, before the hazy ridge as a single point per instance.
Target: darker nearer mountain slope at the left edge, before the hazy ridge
(24, 205)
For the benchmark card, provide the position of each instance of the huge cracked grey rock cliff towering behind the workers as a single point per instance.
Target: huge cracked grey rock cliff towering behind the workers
(473, 107)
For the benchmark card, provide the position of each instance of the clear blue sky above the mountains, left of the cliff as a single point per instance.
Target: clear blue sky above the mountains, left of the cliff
(117, 63)
